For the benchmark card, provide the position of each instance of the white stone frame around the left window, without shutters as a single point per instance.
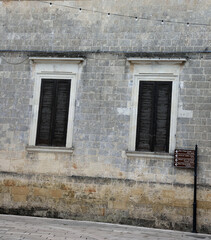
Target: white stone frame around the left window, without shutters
(53, 68)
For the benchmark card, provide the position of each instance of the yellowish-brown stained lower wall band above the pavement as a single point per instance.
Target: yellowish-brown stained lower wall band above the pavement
(141, 203)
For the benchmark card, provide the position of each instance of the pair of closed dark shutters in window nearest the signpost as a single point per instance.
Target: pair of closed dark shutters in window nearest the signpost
(153, 122)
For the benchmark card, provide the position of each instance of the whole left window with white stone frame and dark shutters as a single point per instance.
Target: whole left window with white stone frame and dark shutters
(53, 103)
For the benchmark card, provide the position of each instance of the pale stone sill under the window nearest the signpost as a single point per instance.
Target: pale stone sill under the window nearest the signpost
(150, 155)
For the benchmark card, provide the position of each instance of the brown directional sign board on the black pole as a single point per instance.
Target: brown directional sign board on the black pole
(184, 158)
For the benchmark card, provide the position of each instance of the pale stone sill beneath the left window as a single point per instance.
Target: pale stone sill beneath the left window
(49, 149)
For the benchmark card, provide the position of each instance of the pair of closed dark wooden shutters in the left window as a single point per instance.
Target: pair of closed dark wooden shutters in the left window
(53, 112)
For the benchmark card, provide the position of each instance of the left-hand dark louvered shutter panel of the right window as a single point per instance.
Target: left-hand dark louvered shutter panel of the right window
(145, 116)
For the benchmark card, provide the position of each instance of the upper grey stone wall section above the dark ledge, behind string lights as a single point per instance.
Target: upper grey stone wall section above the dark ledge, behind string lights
(37, 26)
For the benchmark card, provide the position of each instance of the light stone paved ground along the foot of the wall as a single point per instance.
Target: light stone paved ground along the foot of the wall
(32, 228)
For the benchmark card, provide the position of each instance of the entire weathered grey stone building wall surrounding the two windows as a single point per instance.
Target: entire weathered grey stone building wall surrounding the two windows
(98, 181)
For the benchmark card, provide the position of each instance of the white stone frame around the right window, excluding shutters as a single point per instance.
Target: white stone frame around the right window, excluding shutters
(155, 69)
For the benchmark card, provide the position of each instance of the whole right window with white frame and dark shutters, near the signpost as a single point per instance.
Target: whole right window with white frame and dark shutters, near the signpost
(154, 102)
